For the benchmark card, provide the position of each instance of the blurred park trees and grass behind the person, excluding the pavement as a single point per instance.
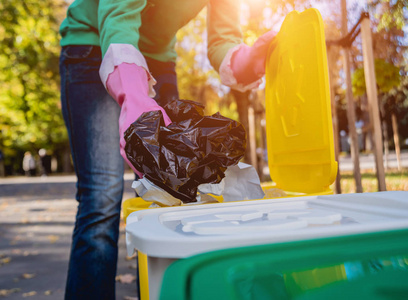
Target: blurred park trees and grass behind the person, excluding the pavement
(30, 114)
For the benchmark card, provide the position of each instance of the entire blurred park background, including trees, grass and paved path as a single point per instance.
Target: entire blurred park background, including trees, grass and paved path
(37, 213)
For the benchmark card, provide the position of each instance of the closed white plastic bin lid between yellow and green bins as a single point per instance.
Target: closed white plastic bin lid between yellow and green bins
(176, 232)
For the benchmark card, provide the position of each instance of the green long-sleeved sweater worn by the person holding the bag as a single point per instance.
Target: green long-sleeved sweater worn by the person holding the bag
(151, 25)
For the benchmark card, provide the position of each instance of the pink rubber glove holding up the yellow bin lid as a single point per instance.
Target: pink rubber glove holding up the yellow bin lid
(248, 63)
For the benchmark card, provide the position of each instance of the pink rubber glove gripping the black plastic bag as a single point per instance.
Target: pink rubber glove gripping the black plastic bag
(128, 85)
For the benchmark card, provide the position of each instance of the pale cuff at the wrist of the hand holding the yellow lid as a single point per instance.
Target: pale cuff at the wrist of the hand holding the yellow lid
(227, 75)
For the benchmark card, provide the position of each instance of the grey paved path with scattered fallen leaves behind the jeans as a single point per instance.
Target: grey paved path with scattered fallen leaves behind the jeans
(36, 220)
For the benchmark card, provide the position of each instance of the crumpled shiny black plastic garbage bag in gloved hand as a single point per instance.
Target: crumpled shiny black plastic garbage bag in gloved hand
(192, 150)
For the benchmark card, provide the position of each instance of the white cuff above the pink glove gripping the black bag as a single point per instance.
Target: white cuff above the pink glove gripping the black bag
(124, 53)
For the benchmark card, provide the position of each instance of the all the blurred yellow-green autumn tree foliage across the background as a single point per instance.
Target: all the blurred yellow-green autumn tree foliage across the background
(30, 116)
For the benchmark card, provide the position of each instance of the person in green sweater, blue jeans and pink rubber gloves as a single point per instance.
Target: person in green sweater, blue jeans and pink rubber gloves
(117, 62)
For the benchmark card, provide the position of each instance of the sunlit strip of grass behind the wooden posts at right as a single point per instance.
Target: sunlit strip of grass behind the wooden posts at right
(395, 181)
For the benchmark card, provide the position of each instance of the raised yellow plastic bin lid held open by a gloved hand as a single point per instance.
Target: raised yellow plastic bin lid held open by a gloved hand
(298, 112)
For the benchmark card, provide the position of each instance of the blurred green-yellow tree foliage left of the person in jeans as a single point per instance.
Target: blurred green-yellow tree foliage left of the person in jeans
(29, 94)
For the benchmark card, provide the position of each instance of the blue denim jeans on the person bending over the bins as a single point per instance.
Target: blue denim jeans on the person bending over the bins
(91, 117)
